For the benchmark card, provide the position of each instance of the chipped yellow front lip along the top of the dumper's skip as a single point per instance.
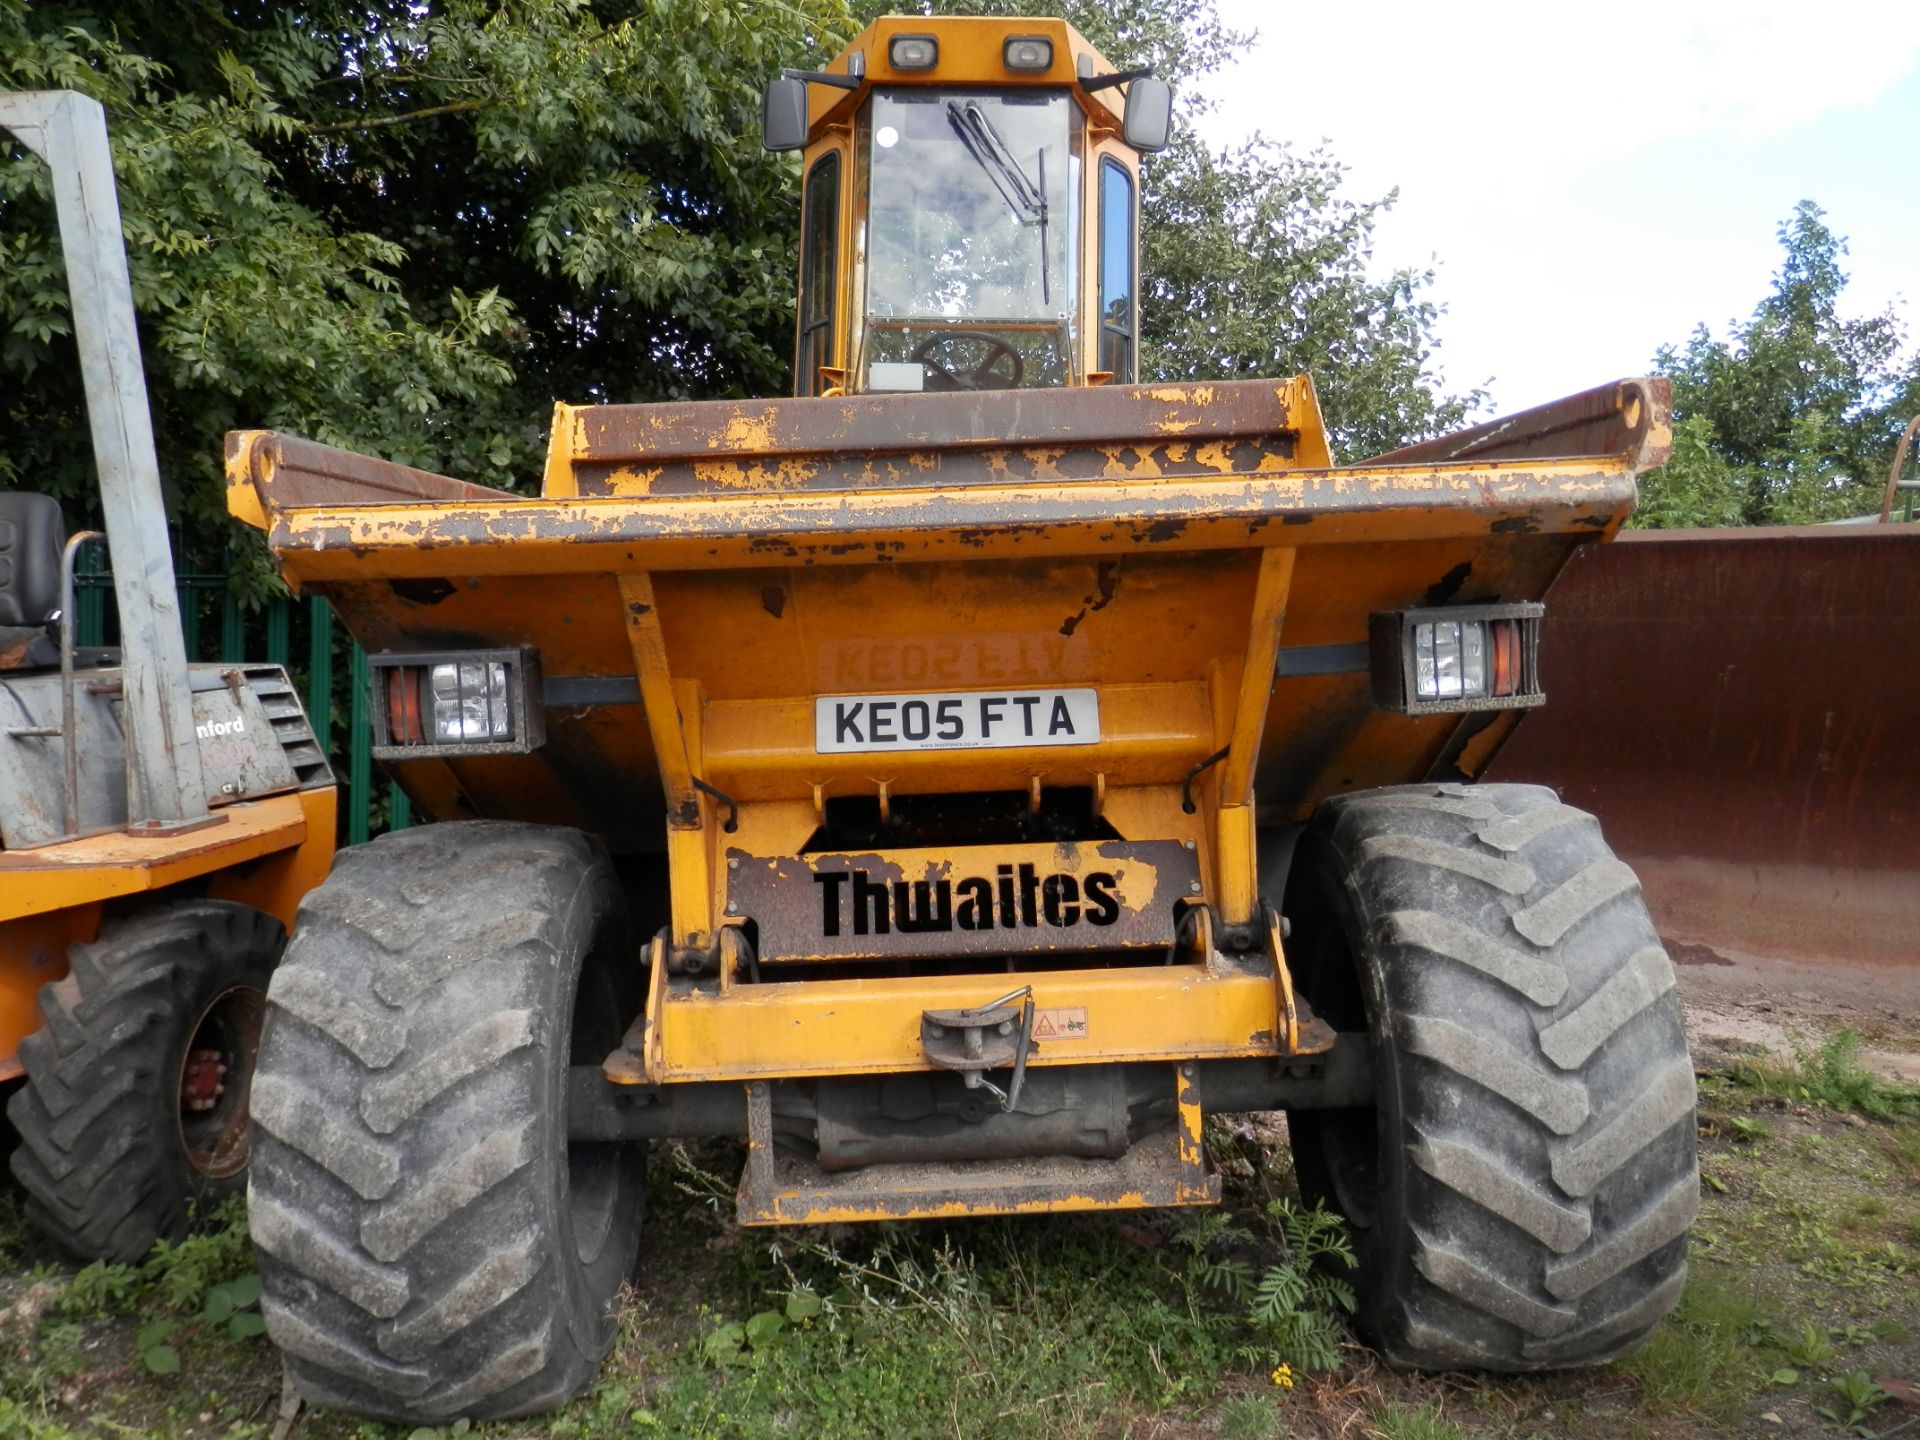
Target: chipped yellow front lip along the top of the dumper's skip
(1009, 519)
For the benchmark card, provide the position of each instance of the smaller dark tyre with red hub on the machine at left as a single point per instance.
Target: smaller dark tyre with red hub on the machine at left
(128, 1124)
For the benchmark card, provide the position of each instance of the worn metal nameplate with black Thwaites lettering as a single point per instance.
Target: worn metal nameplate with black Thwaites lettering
(1001, 900)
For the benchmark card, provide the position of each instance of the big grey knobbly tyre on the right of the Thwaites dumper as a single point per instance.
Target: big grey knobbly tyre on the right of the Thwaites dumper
(1524, 1188)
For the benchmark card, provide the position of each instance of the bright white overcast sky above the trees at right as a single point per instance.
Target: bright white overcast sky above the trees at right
(1595, 181)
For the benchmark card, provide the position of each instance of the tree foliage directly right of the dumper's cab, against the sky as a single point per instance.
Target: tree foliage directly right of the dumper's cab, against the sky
(1255, 264)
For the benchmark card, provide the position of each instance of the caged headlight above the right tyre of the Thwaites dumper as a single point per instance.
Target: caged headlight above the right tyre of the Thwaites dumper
(1462, 658)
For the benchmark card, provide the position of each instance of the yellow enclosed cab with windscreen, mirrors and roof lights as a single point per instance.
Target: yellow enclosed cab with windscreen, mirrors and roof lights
(969, 210)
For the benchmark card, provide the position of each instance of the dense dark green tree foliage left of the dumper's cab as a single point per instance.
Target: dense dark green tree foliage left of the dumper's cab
(404, 228)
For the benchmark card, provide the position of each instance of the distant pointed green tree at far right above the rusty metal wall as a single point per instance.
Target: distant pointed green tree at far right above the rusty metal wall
(1792, 418)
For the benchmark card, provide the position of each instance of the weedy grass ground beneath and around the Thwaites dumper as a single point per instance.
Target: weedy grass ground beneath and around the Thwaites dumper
(1072, 1328)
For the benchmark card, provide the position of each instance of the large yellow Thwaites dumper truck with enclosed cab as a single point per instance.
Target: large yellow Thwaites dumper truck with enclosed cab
(957, 780)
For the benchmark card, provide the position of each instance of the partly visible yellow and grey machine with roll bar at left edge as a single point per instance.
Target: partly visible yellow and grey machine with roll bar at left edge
(158, 821)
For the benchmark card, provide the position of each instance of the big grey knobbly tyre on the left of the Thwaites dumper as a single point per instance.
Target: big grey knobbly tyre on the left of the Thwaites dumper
(429, 1243)
